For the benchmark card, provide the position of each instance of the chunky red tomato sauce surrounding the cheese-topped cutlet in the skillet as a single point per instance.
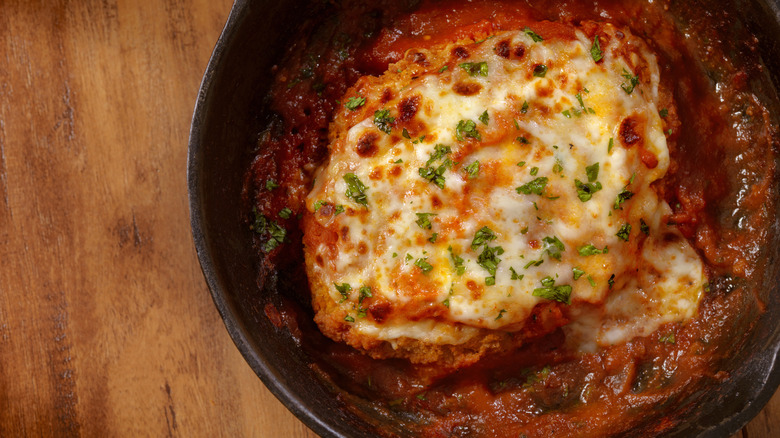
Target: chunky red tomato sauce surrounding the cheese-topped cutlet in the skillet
(720, 187)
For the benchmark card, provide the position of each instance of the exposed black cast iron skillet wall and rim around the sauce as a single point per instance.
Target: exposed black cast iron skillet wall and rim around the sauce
(225, 123)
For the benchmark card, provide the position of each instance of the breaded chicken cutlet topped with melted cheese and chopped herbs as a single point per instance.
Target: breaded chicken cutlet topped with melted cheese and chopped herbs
(481, 194)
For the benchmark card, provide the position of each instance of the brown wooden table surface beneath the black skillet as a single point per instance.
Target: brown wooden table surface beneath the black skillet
(106, 325)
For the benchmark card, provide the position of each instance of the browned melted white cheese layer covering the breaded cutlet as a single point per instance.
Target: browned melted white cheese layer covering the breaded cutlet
(658, 278)
